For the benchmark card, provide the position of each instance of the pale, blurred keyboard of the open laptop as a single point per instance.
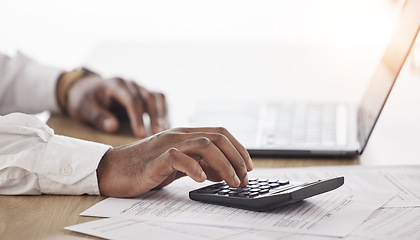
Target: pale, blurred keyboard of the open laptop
(302, 124)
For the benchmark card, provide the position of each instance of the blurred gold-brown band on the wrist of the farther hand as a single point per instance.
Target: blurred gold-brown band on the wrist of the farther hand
(65, 81)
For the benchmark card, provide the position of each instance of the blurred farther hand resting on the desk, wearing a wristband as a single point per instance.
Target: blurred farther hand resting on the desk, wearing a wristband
(104, 103)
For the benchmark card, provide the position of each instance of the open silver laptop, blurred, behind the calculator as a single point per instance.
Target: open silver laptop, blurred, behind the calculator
(311, 128)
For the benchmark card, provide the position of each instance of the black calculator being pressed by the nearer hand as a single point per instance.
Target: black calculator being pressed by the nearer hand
(263, 194)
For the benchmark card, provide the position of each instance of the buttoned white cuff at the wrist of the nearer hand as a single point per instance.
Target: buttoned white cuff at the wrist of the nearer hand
(68, 166)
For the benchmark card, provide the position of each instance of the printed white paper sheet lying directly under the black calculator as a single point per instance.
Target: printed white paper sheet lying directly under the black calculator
(315, 215)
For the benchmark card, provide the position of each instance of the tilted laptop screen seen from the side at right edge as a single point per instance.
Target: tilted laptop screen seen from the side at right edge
(379, 88)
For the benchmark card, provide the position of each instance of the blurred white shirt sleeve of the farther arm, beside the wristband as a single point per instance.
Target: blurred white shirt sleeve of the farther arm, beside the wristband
(27, 86)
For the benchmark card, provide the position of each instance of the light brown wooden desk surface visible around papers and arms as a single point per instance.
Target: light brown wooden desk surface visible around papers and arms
(44, 217)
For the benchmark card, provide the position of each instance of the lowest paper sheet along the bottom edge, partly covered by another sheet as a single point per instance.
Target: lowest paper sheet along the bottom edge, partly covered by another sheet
(387, 223)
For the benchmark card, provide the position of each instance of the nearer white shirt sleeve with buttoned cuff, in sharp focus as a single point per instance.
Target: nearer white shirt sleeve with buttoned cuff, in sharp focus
(33, 160)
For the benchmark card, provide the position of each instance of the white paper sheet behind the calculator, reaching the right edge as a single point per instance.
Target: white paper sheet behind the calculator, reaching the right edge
(402, 181)
